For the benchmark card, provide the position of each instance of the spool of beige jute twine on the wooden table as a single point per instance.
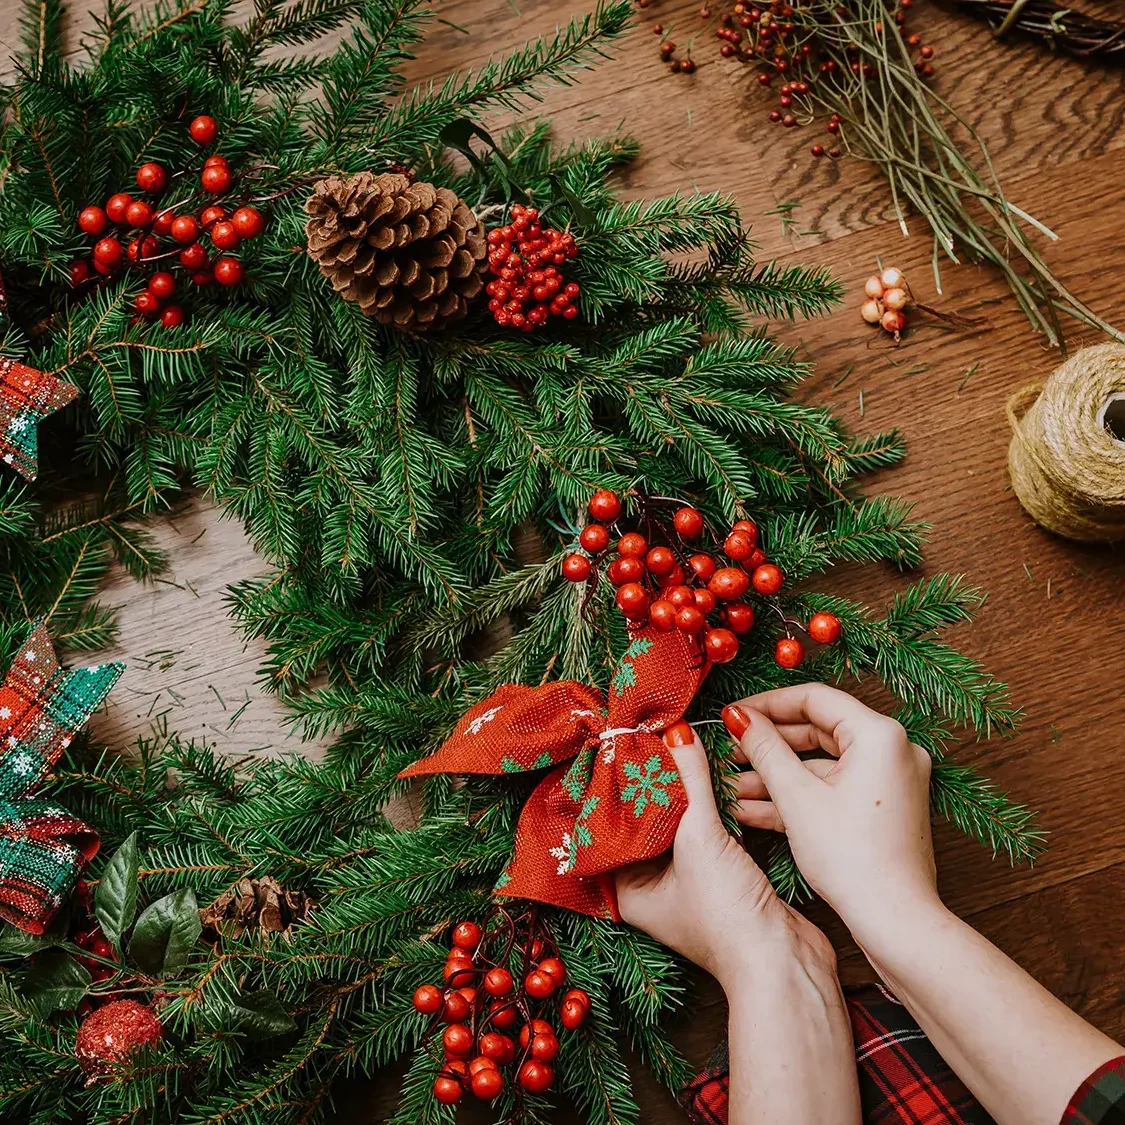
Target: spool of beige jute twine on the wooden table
(1067, 456)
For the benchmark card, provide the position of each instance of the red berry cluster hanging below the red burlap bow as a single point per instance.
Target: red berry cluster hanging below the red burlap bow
(482, 1006)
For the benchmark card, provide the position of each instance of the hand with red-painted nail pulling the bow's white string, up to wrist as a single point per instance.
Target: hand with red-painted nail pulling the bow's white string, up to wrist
(859, 823)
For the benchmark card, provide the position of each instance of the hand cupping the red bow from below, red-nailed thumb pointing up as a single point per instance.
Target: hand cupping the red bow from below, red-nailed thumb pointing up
(710, 902)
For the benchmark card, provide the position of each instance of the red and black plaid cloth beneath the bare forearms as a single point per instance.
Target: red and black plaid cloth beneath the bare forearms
(903, 1078)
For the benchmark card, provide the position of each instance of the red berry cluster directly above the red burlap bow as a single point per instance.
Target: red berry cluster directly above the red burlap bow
(715, 596)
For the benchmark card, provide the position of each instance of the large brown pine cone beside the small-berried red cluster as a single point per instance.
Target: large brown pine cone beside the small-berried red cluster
(410, 255)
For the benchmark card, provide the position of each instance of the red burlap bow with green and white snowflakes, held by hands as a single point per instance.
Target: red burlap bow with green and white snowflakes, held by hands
(616, 796)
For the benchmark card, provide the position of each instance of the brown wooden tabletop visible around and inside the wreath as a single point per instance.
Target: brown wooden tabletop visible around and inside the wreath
(1055, 624)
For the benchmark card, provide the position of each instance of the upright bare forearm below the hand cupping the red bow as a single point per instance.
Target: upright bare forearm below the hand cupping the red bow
(791, 1054)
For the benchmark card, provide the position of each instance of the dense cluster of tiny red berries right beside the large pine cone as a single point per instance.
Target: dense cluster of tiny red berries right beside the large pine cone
(525, 260)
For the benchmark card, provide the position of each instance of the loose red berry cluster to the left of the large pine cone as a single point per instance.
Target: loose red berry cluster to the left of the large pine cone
(164, 239)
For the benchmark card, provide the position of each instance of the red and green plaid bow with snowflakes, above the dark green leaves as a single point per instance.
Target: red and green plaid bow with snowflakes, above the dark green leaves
(43, 849)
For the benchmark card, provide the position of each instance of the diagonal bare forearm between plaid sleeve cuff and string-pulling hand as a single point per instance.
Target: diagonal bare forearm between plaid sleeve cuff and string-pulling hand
(1021, 1051)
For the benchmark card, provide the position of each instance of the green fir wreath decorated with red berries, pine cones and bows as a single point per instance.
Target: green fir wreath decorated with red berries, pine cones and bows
(408, 356)
